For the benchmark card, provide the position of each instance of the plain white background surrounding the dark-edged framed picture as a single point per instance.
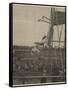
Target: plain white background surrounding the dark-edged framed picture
(4, 44)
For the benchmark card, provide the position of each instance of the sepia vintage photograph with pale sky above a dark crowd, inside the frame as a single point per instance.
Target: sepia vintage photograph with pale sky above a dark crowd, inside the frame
(39, 47)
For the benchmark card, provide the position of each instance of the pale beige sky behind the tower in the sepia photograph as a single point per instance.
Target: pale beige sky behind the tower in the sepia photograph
(26, 28)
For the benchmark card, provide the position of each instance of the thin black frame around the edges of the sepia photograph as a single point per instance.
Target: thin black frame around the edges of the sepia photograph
(11, 46)
